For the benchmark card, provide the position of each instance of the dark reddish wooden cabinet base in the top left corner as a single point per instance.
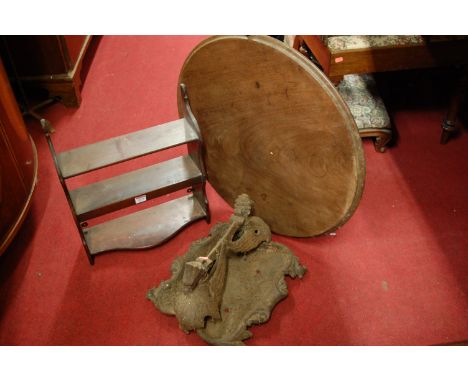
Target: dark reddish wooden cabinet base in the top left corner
(52, 63)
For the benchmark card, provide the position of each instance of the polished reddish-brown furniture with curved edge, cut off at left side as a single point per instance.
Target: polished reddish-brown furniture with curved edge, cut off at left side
(18, 164)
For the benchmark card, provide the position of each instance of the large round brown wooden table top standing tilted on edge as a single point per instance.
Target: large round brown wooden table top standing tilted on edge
(274, 127)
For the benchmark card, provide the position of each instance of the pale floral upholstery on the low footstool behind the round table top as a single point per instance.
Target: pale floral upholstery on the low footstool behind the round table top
(359, 91)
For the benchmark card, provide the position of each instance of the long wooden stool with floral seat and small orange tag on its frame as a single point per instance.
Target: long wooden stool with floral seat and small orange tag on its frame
(341, 55)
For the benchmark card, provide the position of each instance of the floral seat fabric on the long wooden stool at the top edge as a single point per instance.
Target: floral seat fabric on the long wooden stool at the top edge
(340, 43)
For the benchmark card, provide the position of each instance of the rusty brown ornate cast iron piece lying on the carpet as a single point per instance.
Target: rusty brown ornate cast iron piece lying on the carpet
(229, 280)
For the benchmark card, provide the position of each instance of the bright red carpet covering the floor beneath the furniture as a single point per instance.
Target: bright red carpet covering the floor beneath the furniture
(396, 273)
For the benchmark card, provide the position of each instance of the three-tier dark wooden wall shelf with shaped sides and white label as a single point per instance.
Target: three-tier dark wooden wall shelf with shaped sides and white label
(151, 226)
